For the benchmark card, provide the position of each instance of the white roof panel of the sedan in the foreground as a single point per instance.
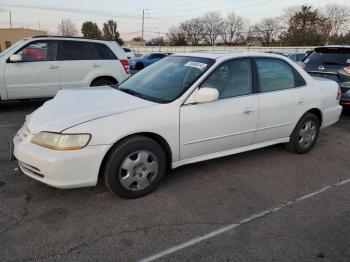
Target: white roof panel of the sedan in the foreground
(227, 54)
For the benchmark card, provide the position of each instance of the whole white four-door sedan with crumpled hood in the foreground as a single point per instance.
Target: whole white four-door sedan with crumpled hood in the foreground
(183, 109)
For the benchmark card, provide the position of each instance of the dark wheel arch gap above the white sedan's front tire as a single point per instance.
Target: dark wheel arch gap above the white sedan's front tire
(156, 137)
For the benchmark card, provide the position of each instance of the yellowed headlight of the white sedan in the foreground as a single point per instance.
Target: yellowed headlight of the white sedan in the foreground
(59, 141)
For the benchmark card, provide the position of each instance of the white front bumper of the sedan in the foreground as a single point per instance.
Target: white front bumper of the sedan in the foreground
(60, 169)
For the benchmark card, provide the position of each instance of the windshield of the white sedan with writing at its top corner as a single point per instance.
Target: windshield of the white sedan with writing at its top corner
(167, 79)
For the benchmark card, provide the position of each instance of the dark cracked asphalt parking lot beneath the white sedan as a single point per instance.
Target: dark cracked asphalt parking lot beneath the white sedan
(39, 223)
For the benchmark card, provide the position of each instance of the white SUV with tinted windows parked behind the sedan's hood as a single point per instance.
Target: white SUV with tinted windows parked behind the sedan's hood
(40, 66)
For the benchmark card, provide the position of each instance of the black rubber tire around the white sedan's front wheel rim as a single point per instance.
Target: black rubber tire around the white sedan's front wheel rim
(113, 169)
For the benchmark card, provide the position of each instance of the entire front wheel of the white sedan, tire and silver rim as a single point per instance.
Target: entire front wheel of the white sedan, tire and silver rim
(135, 167)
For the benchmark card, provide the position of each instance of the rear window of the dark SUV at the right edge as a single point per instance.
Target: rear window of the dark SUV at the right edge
(330, 56)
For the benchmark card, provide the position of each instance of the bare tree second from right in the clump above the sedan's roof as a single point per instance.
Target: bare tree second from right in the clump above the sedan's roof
(213, 25)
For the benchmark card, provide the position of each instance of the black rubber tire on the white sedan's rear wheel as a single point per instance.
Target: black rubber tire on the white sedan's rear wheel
(296, 143)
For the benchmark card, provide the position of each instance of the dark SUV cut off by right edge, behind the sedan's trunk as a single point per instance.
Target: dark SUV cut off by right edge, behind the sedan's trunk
(331, 62)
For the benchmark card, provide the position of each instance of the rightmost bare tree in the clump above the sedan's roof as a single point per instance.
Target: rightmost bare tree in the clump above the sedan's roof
(232, 29)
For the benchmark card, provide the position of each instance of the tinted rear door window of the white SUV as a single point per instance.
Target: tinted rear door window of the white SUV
(77, 50)
